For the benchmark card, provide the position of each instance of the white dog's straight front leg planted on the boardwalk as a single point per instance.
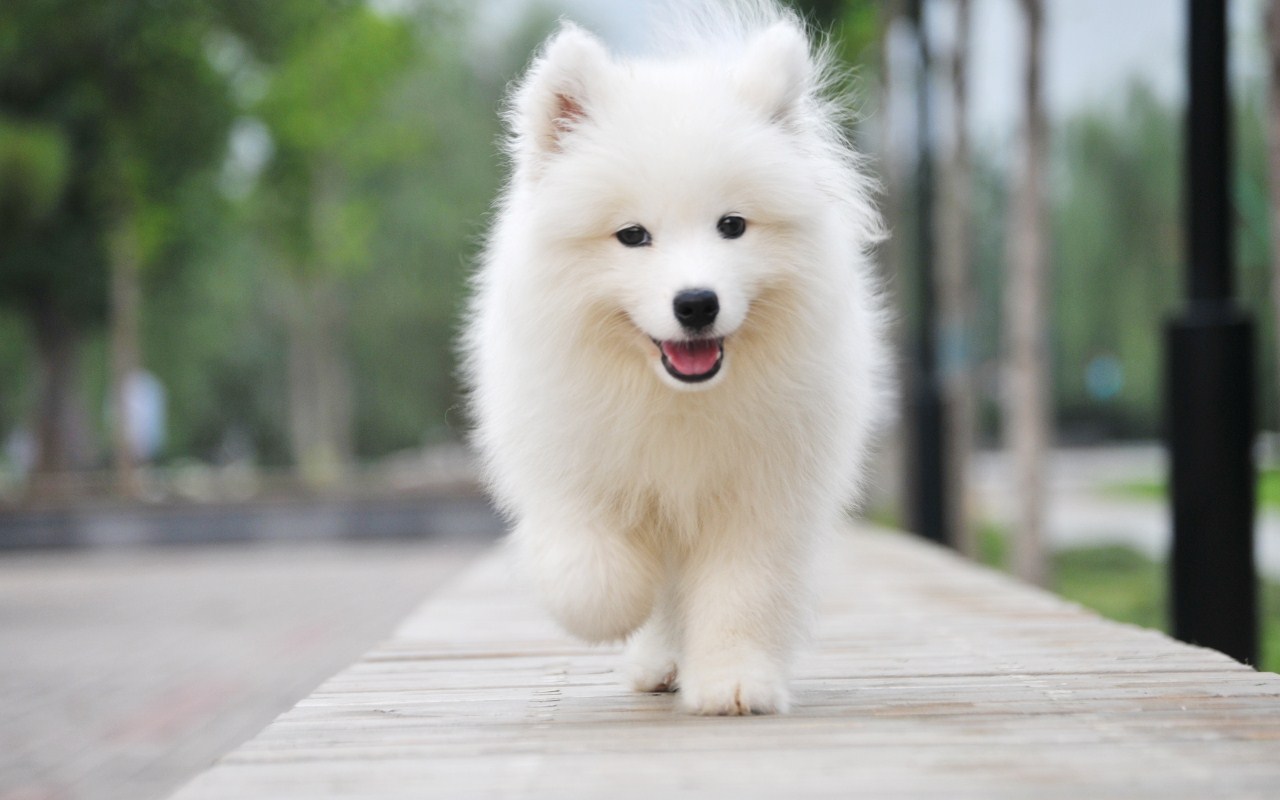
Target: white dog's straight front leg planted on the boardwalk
(743, 606)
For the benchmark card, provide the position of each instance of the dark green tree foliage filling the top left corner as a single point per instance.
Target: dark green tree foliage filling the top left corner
(126, 84)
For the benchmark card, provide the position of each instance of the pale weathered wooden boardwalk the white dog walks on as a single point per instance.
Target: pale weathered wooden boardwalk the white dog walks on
(927, 678)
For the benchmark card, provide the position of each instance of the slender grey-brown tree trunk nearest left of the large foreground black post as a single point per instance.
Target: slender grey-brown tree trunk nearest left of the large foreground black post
(1026, 396)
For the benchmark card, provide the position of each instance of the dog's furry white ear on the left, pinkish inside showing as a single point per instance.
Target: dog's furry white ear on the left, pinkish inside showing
(557, 92)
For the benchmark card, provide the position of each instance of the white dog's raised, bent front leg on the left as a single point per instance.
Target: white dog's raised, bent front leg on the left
(598, 583)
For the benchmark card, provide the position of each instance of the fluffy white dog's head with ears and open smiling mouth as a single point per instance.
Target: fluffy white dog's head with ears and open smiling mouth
(671, 193)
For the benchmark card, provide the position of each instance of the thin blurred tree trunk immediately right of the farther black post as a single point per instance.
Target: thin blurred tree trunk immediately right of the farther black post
(957, 292)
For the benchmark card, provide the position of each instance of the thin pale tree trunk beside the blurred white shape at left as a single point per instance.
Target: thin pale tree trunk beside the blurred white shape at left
(126, 359)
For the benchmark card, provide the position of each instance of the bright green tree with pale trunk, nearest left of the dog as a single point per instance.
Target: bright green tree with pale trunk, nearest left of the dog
(332, 144)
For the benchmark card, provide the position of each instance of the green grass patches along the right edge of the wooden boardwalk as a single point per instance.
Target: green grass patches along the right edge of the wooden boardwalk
(1122, 584)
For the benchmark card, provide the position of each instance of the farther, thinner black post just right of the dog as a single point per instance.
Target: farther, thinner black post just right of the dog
(927, 484)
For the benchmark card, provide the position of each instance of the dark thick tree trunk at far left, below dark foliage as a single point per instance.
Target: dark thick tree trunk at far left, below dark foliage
(61, 426)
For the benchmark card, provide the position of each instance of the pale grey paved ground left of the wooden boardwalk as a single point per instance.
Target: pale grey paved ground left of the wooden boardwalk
(124, 673)
